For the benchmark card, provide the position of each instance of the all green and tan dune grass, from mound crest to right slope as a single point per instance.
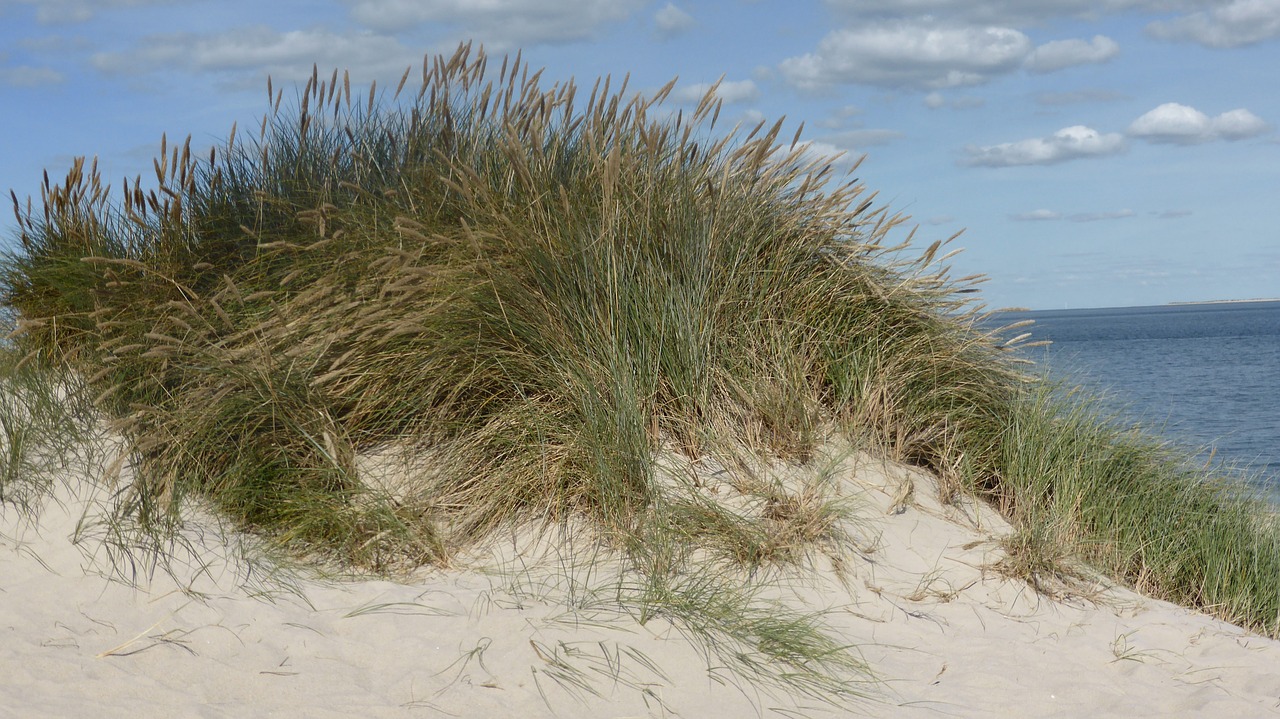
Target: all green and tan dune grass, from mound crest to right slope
(548, 296)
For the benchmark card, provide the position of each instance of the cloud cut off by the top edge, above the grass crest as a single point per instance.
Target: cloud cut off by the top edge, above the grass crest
(499, 24)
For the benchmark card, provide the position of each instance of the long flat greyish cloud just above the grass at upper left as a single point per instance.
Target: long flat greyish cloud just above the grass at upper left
(262, 51)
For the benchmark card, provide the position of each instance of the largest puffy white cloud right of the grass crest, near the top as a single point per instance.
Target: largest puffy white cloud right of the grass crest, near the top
(912, 54)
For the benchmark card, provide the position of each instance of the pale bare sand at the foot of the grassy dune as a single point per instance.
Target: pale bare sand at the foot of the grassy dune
(945, 634)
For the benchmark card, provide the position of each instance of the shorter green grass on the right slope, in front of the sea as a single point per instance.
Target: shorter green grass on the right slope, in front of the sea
(1082, 484)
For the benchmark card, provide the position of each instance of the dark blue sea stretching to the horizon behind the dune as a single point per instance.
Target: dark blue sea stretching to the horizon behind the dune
(1204, 375)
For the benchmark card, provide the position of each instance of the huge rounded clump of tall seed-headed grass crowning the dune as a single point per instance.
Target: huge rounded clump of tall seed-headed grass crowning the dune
(543, 292)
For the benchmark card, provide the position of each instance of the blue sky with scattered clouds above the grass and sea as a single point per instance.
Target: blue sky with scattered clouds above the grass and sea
(1095, 154)
